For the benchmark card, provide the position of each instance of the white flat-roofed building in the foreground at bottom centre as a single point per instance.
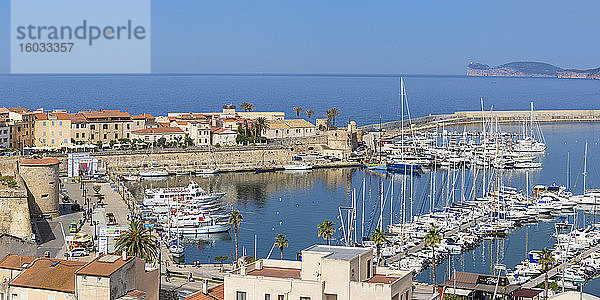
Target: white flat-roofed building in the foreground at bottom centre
(324, 272)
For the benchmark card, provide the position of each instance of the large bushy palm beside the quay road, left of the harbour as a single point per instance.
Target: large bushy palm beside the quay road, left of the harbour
(138, 241)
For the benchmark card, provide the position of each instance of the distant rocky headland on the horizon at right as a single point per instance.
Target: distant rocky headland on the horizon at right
(530, 69)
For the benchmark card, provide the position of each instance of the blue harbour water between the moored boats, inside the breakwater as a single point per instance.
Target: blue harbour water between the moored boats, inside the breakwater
(273, 200)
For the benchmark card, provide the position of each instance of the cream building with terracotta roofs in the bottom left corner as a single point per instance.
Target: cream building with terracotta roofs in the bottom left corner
(106, 277)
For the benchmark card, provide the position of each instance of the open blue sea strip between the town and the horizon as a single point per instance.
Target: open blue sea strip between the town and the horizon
(358, 98)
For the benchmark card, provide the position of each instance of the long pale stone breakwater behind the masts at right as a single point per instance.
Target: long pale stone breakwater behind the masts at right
(429, 122)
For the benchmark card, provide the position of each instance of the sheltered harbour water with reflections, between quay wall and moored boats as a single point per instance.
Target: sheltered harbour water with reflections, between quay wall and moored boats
(294, 203)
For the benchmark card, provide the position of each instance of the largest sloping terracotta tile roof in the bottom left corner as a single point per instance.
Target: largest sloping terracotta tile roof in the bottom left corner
(49, 274)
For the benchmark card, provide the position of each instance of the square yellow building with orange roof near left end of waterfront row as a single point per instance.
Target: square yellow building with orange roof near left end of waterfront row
(52, 130)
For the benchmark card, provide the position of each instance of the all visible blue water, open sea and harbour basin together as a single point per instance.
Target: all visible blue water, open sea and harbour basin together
(294, 203)
